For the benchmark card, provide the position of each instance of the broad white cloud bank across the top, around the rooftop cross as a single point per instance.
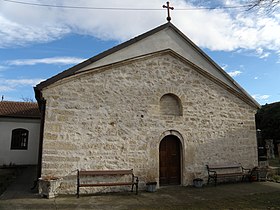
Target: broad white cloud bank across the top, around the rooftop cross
(222, 29)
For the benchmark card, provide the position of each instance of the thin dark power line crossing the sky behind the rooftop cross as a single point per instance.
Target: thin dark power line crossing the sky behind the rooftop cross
(124, 8)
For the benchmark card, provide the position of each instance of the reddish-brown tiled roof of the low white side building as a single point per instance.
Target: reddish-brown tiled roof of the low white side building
(19, 110)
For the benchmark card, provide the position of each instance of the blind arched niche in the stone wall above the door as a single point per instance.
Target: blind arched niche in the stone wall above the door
(170, 104)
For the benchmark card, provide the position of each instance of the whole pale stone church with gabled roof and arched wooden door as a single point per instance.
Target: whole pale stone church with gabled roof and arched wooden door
(156, 104)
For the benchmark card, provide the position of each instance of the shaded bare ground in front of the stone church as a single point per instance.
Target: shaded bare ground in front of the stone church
(256, 195)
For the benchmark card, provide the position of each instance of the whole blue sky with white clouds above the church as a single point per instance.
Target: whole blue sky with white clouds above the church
(37, 42)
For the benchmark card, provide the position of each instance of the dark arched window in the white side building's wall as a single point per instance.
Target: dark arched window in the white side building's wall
(19, 139)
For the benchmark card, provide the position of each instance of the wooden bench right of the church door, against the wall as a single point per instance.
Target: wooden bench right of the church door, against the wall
(224, 171)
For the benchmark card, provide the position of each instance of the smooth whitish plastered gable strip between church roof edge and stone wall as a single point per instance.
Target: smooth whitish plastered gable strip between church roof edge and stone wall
(167, 38)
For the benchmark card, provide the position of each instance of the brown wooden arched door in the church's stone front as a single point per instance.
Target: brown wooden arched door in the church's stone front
(170, 161)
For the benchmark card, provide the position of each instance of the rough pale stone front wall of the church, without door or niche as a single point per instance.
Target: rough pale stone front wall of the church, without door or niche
(110, 119)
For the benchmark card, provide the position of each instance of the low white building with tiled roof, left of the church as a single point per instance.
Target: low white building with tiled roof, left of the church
(19, 133)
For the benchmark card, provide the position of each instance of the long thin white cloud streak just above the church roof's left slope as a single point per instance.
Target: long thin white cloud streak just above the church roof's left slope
(54, 60)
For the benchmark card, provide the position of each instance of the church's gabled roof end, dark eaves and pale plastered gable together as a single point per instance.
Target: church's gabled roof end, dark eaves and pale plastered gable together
(164, 37)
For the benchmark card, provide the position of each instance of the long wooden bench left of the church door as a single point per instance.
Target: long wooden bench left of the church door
(83, 173)
